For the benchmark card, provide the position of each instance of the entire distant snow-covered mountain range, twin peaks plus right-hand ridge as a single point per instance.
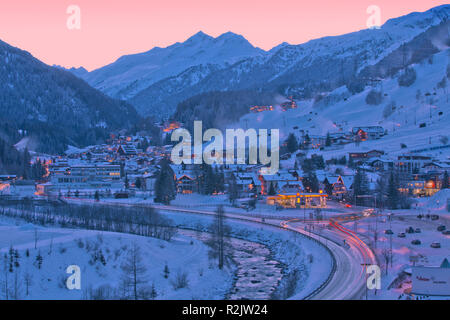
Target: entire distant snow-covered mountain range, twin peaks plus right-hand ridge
(157, 80)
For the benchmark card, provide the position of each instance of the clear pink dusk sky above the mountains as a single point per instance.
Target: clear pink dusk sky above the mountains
(110, 29)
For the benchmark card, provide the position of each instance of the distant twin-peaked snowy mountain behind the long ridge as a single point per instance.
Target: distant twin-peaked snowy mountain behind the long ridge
(133, 73)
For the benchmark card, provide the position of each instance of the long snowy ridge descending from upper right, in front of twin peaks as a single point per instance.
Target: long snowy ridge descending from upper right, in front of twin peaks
(300, 70)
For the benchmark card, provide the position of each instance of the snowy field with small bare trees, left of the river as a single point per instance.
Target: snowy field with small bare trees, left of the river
(60, 248)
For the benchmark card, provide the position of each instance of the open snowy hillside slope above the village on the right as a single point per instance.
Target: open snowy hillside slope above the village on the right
(414, 117)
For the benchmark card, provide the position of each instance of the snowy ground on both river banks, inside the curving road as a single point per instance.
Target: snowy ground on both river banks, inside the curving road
(60, 248)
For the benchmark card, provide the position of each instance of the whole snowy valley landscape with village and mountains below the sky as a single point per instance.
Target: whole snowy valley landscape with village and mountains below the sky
(355, 206)
